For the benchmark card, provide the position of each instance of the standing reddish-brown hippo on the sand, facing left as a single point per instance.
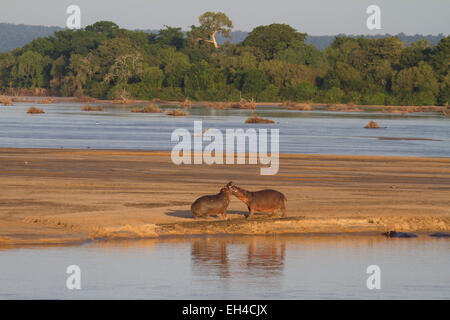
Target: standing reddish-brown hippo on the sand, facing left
(265, 201)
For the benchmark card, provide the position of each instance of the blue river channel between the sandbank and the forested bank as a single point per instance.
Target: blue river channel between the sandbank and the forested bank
(65, 125)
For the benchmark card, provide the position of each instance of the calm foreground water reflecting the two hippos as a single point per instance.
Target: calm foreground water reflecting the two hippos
(302, 267)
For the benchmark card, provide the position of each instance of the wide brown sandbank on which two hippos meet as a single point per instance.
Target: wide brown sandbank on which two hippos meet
(69, 196)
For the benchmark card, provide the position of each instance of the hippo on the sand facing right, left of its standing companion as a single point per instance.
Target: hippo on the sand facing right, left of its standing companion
(213, 204)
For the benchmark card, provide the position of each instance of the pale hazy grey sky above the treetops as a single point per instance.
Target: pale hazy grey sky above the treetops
(316, 17)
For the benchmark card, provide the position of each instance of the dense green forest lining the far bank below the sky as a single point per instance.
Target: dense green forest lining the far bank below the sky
(273, 63)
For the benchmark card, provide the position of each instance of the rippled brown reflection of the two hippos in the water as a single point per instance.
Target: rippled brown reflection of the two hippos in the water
(212, 256)
